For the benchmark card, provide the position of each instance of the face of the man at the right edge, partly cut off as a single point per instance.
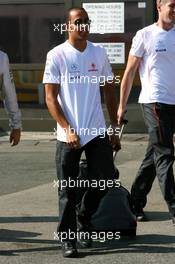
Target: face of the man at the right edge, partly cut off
(167, 11)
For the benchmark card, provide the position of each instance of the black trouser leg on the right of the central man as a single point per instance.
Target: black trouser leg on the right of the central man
(100, 168)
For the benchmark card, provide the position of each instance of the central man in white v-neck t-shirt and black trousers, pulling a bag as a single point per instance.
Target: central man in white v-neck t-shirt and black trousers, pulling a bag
(72, 77)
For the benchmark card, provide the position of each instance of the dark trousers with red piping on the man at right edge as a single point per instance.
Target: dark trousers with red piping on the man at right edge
(159, 157)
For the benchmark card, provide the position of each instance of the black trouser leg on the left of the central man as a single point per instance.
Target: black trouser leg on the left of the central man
(67, 164)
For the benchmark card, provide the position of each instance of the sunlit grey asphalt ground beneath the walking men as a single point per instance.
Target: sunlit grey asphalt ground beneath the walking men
(29, 208)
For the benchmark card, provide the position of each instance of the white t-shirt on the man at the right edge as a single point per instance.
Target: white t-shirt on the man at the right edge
(156, 46)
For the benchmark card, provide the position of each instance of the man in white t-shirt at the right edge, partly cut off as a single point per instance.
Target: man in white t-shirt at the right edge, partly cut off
(153, 52)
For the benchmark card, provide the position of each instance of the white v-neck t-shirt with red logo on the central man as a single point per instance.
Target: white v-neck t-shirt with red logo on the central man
(79, 74)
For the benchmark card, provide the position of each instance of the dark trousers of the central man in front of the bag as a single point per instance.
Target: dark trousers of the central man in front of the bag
(99, 157)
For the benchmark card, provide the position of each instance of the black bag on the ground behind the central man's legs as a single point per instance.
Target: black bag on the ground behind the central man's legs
(115, 211)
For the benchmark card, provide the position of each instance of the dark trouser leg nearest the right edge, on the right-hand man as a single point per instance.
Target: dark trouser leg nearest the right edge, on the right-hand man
(164, 153)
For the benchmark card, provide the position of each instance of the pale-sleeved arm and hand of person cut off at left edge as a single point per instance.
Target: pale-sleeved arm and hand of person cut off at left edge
(8, 94)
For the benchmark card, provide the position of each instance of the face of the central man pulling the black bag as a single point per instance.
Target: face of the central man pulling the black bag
(79, 25)
